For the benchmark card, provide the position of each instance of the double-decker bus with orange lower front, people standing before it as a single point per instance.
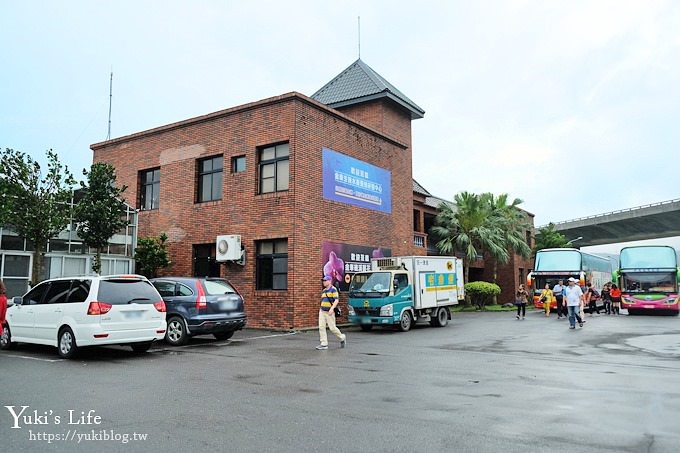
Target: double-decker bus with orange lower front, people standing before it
(552, 265)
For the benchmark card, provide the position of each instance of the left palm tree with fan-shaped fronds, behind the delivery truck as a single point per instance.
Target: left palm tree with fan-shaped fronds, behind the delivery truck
(468, 227)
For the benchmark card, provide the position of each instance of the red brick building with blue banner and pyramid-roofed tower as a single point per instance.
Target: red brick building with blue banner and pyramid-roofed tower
(310, 184)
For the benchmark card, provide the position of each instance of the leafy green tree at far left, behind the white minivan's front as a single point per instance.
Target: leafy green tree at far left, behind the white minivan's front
(36, 206)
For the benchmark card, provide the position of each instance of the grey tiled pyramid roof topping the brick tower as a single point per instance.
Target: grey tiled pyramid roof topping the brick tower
(359, 83)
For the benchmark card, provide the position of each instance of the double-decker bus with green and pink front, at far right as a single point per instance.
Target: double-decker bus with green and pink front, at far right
(648, 278)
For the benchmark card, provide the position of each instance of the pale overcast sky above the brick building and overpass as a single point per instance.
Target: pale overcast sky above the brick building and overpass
(572, 106)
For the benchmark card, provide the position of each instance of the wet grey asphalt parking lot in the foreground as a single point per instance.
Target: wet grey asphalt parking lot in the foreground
(484, 383)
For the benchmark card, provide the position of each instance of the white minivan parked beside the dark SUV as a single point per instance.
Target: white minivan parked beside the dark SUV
(75, 312)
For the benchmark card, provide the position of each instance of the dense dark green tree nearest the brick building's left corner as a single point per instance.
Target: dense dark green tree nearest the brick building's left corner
(100, 212)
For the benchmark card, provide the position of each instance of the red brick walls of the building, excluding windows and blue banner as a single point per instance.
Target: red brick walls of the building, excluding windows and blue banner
(301, 214)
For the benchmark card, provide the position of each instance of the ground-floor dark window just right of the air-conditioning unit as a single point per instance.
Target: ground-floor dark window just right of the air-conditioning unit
(272, 264)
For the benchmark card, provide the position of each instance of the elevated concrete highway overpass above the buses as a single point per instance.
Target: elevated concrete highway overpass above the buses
(652, 221)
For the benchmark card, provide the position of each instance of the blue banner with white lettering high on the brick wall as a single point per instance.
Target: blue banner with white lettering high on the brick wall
(355, 182)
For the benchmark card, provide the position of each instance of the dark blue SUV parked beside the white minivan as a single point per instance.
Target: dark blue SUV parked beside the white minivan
(199, 306)
